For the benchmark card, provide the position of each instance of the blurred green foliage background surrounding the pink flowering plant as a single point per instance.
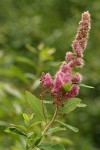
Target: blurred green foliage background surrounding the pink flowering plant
(34, 37)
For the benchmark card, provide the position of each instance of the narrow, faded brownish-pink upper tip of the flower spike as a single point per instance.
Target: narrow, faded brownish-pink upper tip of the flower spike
(80, 41)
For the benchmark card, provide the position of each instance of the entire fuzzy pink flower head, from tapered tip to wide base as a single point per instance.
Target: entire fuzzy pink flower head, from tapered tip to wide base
(55, 87)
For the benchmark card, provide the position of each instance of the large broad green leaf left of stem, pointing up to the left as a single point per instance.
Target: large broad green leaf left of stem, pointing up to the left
(36, 105)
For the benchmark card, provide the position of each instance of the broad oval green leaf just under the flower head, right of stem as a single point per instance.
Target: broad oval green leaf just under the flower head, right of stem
(70, 105)
